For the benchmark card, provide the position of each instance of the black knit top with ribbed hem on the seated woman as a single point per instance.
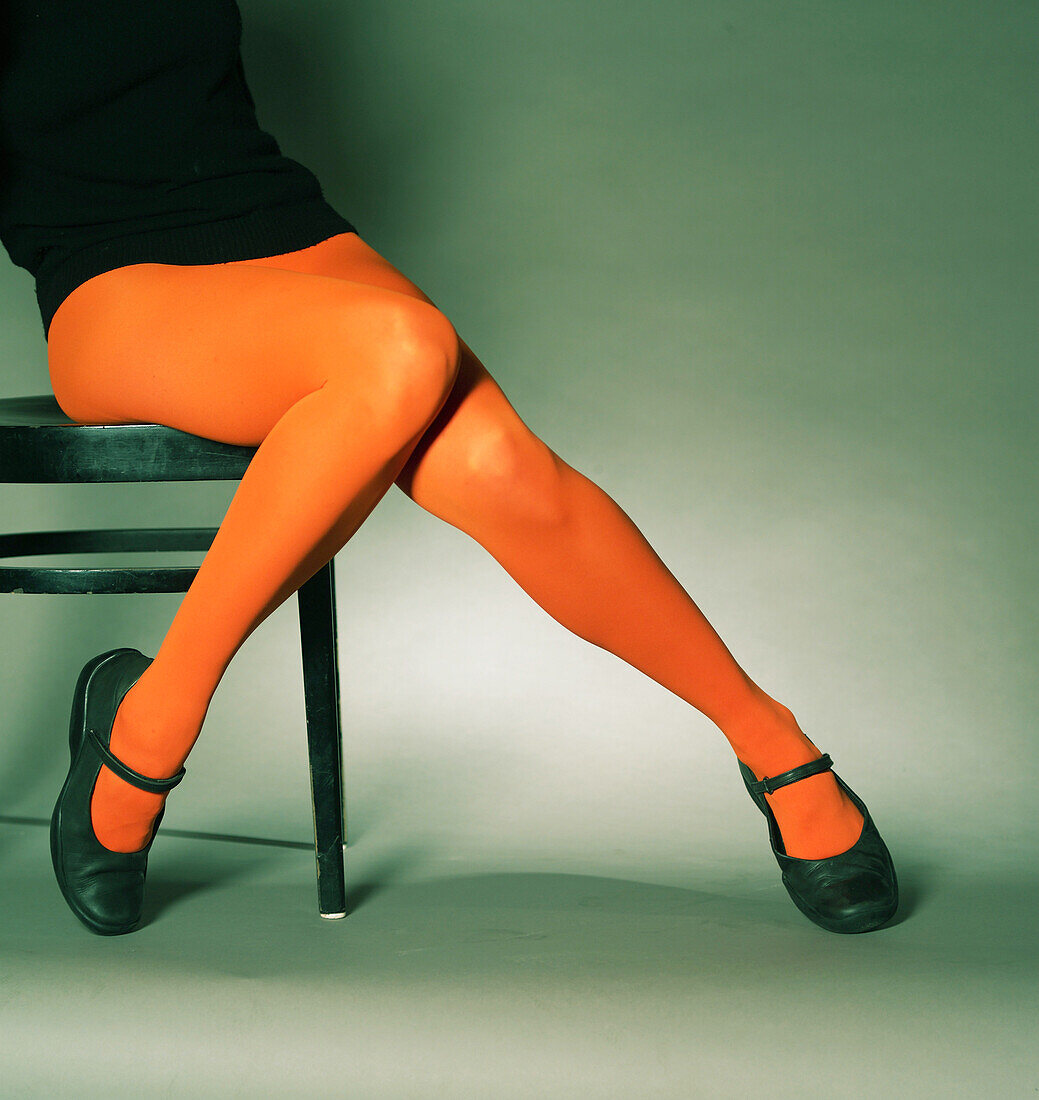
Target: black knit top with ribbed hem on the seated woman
(128, 135)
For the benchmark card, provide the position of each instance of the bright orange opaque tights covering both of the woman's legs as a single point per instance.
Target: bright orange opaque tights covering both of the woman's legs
(348, 379)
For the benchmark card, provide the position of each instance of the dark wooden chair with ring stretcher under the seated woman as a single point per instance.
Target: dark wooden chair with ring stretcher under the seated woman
(39, 444)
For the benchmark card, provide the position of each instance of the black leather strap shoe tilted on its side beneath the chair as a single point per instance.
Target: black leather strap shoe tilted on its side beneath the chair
(105, 889)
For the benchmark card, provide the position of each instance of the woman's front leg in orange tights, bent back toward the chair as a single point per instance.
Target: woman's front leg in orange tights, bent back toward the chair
(334, 381)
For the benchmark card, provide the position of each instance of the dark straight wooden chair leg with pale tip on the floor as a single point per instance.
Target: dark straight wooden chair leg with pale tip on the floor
(325, 739)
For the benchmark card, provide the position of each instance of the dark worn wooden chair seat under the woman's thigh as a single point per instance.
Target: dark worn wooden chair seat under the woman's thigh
(40, 444)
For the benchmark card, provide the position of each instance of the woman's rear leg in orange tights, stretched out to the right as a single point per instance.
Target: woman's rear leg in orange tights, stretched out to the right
(582, 559)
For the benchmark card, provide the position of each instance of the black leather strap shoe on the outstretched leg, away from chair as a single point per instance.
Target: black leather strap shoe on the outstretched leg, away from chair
(854, 892)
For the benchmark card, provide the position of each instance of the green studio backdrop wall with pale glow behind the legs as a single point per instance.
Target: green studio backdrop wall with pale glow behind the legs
(767, 273)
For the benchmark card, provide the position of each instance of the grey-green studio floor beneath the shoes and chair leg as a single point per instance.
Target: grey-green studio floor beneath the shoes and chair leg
(482, 976)
